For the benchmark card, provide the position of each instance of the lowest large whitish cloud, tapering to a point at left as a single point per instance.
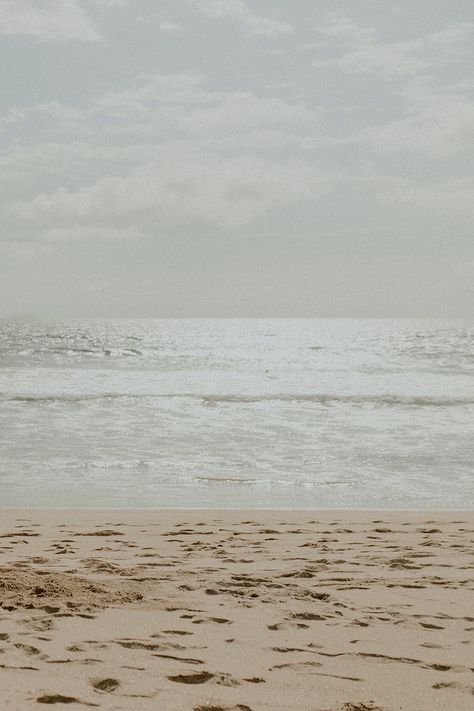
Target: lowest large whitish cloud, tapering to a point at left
(174, 194)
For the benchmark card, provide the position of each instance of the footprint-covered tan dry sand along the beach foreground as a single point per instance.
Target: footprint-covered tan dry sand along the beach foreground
(212, 611)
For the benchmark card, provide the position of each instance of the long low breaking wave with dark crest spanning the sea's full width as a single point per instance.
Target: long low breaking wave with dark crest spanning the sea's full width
(381, 400)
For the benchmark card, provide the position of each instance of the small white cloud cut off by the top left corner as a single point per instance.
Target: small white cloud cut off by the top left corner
(47, 20)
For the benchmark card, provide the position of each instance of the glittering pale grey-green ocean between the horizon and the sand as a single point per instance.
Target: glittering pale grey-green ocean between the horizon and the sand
(270, 413)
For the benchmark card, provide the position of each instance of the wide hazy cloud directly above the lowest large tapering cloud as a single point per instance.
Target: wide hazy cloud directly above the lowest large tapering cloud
(166, 108)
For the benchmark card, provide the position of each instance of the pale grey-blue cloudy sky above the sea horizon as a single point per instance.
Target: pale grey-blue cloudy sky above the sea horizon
(236, 158)
